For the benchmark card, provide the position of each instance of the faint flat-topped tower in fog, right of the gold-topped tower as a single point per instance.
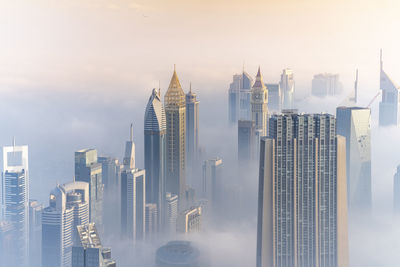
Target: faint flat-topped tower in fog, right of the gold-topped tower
(211, 187)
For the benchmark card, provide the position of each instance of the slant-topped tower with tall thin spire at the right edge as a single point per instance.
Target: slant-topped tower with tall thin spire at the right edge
(389, 110)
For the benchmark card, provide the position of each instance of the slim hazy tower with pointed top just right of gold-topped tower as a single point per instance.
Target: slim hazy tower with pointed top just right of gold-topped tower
(192, 128)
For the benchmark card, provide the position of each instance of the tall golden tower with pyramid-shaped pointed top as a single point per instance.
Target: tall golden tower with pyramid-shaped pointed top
(175, 111)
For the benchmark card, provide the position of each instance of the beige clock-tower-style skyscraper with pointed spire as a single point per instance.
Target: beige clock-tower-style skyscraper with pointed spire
(259, 105)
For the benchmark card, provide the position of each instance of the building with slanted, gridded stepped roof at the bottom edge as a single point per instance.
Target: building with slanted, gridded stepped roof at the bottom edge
(89, 252)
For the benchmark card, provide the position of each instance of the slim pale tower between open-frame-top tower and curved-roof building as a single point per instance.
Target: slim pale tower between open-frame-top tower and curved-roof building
(35, 233)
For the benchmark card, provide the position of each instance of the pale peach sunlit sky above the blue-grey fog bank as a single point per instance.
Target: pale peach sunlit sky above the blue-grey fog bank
(121, 44)
